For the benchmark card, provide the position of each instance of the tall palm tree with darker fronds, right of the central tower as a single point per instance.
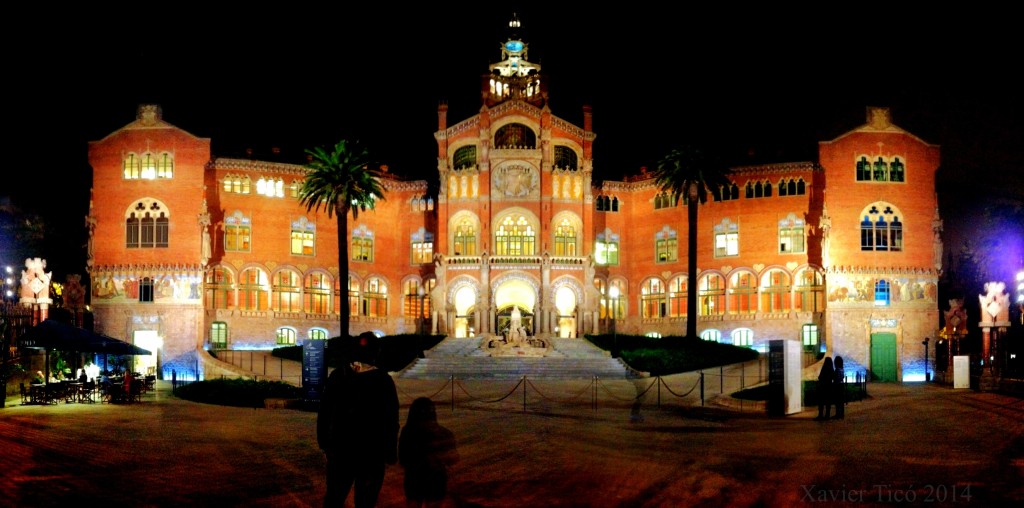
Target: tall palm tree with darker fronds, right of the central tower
(689, 173)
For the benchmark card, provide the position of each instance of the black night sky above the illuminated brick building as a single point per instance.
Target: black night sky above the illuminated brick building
(755, 87)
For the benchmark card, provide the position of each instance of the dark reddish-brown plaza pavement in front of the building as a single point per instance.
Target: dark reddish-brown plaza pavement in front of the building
(570, 444)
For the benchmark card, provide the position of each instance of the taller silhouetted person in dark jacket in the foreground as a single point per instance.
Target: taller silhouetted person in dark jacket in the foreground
(358, 427)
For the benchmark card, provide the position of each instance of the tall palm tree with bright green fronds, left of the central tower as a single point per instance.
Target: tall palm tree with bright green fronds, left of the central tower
(342, 182)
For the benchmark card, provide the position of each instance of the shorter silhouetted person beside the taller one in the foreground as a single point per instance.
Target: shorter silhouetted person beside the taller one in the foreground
(426, 451)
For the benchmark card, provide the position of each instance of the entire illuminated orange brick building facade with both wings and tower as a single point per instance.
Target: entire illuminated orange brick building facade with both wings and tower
(516, 222)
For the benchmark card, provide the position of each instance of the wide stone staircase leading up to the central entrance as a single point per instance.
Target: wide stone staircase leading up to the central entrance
(569, 359)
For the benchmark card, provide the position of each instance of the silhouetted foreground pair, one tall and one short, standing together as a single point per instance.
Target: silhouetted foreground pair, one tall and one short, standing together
(358, 429)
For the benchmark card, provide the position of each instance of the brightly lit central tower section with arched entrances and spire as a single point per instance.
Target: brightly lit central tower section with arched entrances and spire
(516, 184)
